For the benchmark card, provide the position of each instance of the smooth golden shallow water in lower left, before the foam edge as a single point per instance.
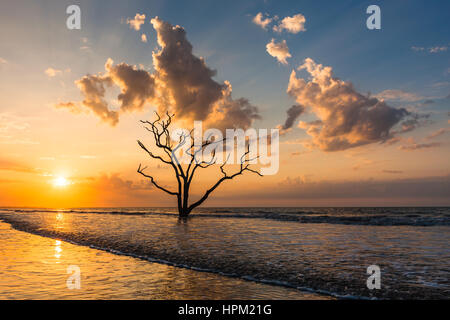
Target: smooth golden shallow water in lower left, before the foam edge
(34, 267)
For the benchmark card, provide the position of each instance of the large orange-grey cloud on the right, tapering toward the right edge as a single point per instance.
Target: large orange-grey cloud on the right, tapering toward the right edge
(347, 118)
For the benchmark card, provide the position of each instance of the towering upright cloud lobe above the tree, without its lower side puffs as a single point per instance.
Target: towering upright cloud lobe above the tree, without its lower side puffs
(186, 81)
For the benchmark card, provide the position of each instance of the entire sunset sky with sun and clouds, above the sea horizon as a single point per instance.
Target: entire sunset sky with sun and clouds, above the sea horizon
(364, 115)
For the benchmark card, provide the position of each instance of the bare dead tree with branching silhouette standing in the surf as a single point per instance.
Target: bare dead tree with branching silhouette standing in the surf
(184, 174)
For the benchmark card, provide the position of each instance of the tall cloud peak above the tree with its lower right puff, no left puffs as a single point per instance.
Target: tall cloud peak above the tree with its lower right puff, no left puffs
(186, 85)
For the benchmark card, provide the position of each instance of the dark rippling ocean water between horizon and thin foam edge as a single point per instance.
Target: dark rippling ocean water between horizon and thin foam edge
(324, 251)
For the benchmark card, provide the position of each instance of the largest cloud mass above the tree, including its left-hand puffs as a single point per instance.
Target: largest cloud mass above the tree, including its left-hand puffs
(181, 83)
